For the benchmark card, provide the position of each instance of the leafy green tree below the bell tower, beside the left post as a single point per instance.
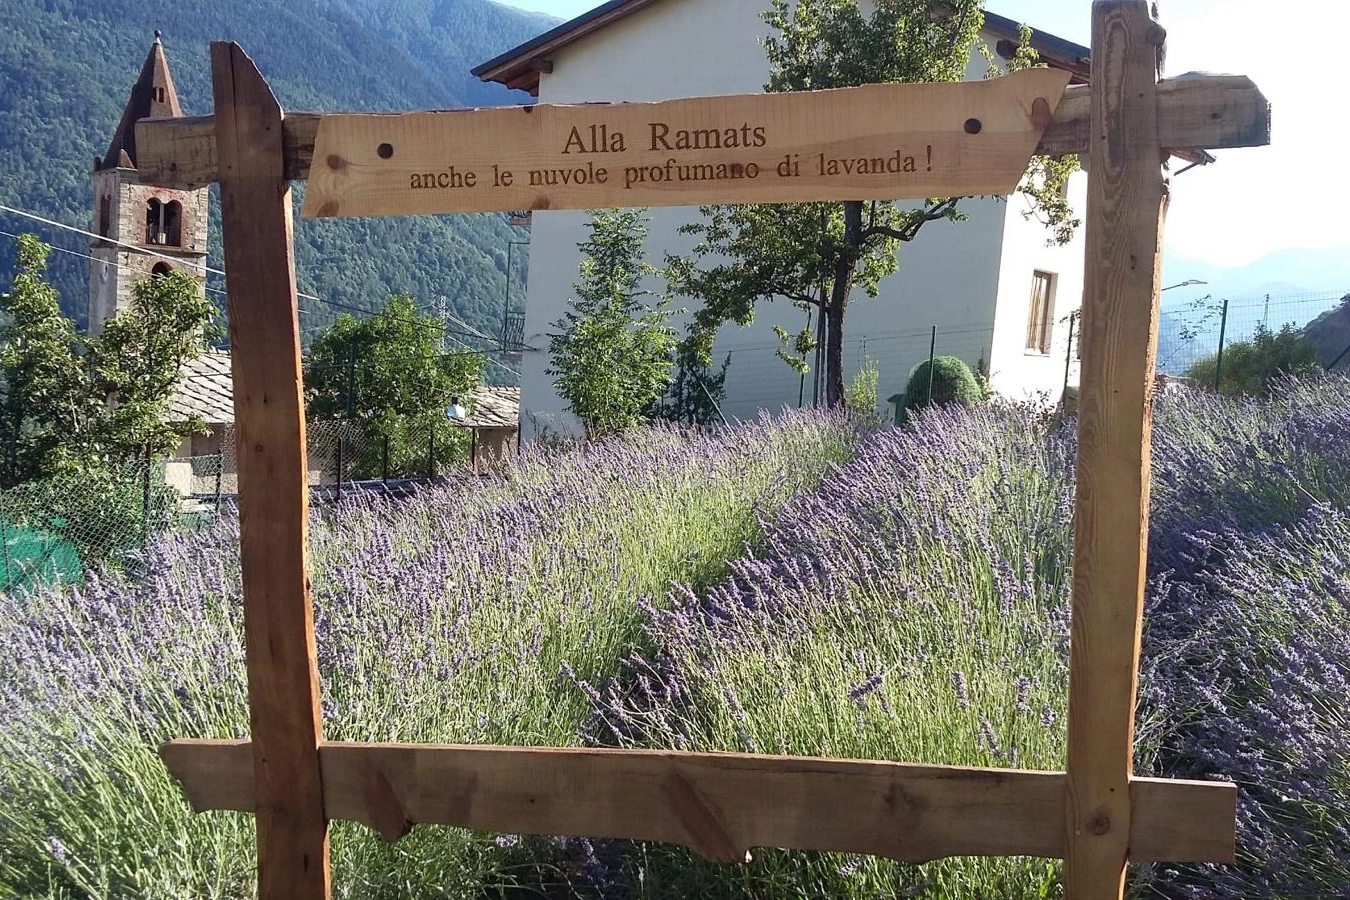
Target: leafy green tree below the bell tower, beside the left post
(138, 364)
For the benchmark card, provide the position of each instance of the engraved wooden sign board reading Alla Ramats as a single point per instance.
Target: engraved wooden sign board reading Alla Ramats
(877, 142)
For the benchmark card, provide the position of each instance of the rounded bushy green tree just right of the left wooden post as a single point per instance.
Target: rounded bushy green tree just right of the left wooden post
(392, 377)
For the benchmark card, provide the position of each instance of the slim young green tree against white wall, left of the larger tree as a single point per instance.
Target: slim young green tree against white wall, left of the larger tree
(612, 353)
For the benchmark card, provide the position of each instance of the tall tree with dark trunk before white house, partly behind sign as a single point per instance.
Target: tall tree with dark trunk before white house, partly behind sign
(817, 254)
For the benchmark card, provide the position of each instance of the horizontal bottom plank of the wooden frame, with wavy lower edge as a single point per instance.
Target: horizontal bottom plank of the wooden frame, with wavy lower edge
(722, 805)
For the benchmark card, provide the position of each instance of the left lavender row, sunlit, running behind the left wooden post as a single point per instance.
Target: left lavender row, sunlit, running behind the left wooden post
(442, 619)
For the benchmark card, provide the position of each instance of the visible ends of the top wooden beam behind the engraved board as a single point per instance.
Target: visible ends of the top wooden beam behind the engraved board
(1195, 113)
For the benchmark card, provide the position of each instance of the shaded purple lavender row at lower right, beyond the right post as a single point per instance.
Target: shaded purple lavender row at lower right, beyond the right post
(1249, 666)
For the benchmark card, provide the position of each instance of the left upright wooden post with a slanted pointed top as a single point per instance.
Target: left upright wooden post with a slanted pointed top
(273, 482)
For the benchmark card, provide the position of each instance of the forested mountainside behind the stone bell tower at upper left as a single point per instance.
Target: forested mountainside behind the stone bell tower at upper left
(68, 65)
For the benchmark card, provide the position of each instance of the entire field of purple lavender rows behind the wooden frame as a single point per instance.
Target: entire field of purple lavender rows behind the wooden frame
(786, 588)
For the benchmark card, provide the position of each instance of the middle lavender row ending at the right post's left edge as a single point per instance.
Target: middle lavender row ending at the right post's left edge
(913, 608)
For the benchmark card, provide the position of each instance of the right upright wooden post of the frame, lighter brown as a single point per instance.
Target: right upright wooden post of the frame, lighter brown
(1128, 199)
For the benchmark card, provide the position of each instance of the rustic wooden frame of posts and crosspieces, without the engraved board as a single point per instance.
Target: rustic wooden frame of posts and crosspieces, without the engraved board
(1096, 816)
